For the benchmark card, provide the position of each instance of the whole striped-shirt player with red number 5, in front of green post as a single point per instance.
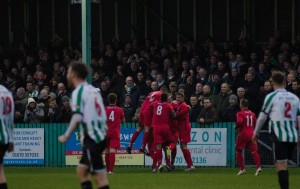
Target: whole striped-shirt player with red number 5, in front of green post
(89, 114)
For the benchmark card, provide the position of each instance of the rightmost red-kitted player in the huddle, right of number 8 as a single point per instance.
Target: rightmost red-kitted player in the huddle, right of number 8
(184, 128)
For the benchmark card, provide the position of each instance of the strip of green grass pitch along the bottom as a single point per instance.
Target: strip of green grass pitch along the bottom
(136, 178)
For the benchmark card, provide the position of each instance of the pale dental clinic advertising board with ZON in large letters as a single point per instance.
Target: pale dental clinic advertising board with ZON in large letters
(208, 147)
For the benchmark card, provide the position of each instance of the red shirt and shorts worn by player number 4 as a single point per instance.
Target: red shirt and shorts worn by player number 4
(114, 115)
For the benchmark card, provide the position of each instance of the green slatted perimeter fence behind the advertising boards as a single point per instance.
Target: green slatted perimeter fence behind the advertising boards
(55, 151)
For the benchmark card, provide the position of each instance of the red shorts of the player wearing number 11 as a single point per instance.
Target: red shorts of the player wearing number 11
(245, 141)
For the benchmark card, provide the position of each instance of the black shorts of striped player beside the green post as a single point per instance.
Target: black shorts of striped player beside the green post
(92, 155)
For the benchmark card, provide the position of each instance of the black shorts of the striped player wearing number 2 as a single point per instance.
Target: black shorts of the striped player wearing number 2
(283, 151)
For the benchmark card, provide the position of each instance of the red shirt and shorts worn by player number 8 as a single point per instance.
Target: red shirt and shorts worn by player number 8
(161, 116)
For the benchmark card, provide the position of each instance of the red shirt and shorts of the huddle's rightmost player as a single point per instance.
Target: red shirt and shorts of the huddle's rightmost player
(183, 122)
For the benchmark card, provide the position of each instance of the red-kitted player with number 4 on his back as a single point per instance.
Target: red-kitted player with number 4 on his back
(115, 116)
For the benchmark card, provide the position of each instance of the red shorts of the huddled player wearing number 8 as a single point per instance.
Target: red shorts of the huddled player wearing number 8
(162, 135)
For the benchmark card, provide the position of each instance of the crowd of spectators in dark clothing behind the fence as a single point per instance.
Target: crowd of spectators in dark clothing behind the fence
(214, 78)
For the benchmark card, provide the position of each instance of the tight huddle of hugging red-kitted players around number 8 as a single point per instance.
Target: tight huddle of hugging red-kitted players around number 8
(165, 123)
